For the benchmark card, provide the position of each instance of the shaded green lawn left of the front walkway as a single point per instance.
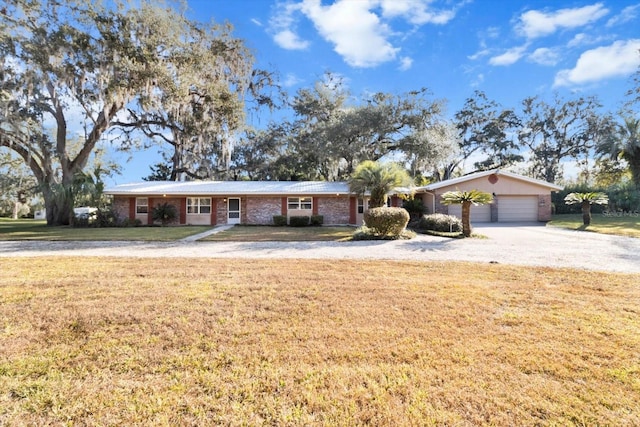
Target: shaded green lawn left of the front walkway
(29, 229)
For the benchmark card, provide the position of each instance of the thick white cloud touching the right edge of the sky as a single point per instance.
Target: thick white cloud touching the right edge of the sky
(618, 59)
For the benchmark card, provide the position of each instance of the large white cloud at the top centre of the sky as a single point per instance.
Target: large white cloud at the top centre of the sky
(357, 33)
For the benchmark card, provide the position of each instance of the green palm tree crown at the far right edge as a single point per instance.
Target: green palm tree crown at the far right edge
(624, 144)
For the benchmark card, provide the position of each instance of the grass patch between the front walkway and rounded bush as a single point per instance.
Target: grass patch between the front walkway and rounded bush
(264, 233)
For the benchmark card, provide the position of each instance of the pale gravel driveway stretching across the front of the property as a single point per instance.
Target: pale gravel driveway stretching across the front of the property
(521, 244)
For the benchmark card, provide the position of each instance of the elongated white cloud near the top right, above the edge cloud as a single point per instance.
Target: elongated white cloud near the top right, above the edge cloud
(534, 23)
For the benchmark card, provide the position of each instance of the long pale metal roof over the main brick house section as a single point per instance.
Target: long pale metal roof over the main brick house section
(227, 188)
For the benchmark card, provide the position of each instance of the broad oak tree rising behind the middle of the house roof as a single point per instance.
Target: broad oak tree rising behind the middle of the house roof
(331, 132)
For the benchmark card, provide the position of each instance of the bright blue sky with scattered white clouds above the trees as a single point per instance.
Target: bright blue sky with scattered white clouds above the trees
(508, 49)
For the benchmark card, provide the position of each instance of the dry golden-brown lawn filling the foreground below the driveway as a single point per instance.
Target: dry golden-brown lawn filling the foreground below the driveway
(265, 342)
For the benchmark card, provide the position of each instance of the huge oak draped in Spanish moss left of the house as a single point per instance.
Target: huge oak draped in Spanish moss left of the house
(75, 70)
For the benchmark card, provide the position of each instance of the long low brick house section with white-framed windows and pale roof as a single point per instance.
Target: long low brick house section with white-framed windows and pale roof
(237, 202)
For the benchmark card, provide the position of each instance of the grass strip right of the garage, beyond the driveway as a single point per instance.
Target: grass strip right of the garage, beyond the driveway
(617, 225)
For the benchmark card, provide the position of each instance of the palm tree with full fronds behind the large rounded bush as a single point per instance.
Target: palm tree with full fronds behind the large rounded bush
(378, 179)
